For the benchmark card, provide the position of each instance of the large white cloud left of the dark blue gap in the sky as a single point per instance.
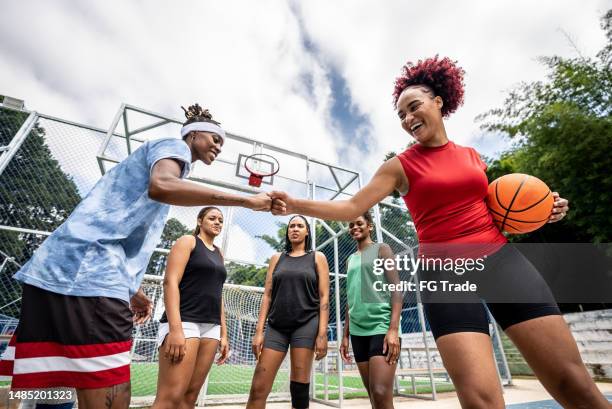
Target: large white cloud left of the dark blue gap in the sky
(244, 60)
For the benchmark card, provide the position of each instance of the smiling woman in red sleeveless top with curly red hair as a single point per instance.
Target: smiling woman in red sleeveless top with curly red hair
(444, 186)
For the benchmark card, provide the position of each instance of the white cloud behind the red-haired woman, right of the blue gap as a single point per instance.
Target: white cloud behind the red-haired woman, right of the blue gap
(496, 42)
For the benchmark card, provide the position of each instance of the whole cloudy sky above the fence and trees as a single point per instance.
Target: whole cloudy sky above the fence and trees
(312, 76)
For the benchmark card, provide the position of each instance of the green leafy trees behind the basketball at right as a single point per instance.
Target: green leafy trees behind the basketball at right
(563, 133)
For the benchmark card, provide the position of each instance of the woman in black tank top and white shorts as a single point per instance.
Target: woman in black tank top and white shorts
(192, 328)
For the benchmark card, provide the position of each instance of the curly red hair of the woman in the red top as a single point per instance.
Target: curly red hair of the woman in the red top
(442, 76)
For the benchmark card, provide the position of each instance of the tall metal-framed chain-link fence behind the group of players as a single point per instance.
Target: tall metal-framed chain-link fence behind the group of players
(48, 164)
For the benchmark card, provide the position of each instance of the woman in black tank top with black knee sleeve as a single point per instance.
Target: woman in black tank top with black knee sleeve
(295, 304)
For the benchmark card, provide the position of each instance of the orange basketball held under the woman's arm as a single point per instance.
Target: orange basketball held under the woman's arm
(519, 203)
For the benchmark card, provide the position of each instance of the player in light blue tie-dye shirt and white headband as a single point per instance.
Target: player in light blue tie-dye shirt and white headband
(81, 287)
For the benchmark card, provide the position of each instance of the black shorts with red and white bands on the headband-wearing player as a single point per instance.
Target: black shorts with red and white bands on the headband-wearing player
(70, 341)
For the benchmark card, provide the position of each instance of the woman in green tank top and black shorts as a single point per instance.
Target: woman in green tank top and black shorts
(372, 318)
